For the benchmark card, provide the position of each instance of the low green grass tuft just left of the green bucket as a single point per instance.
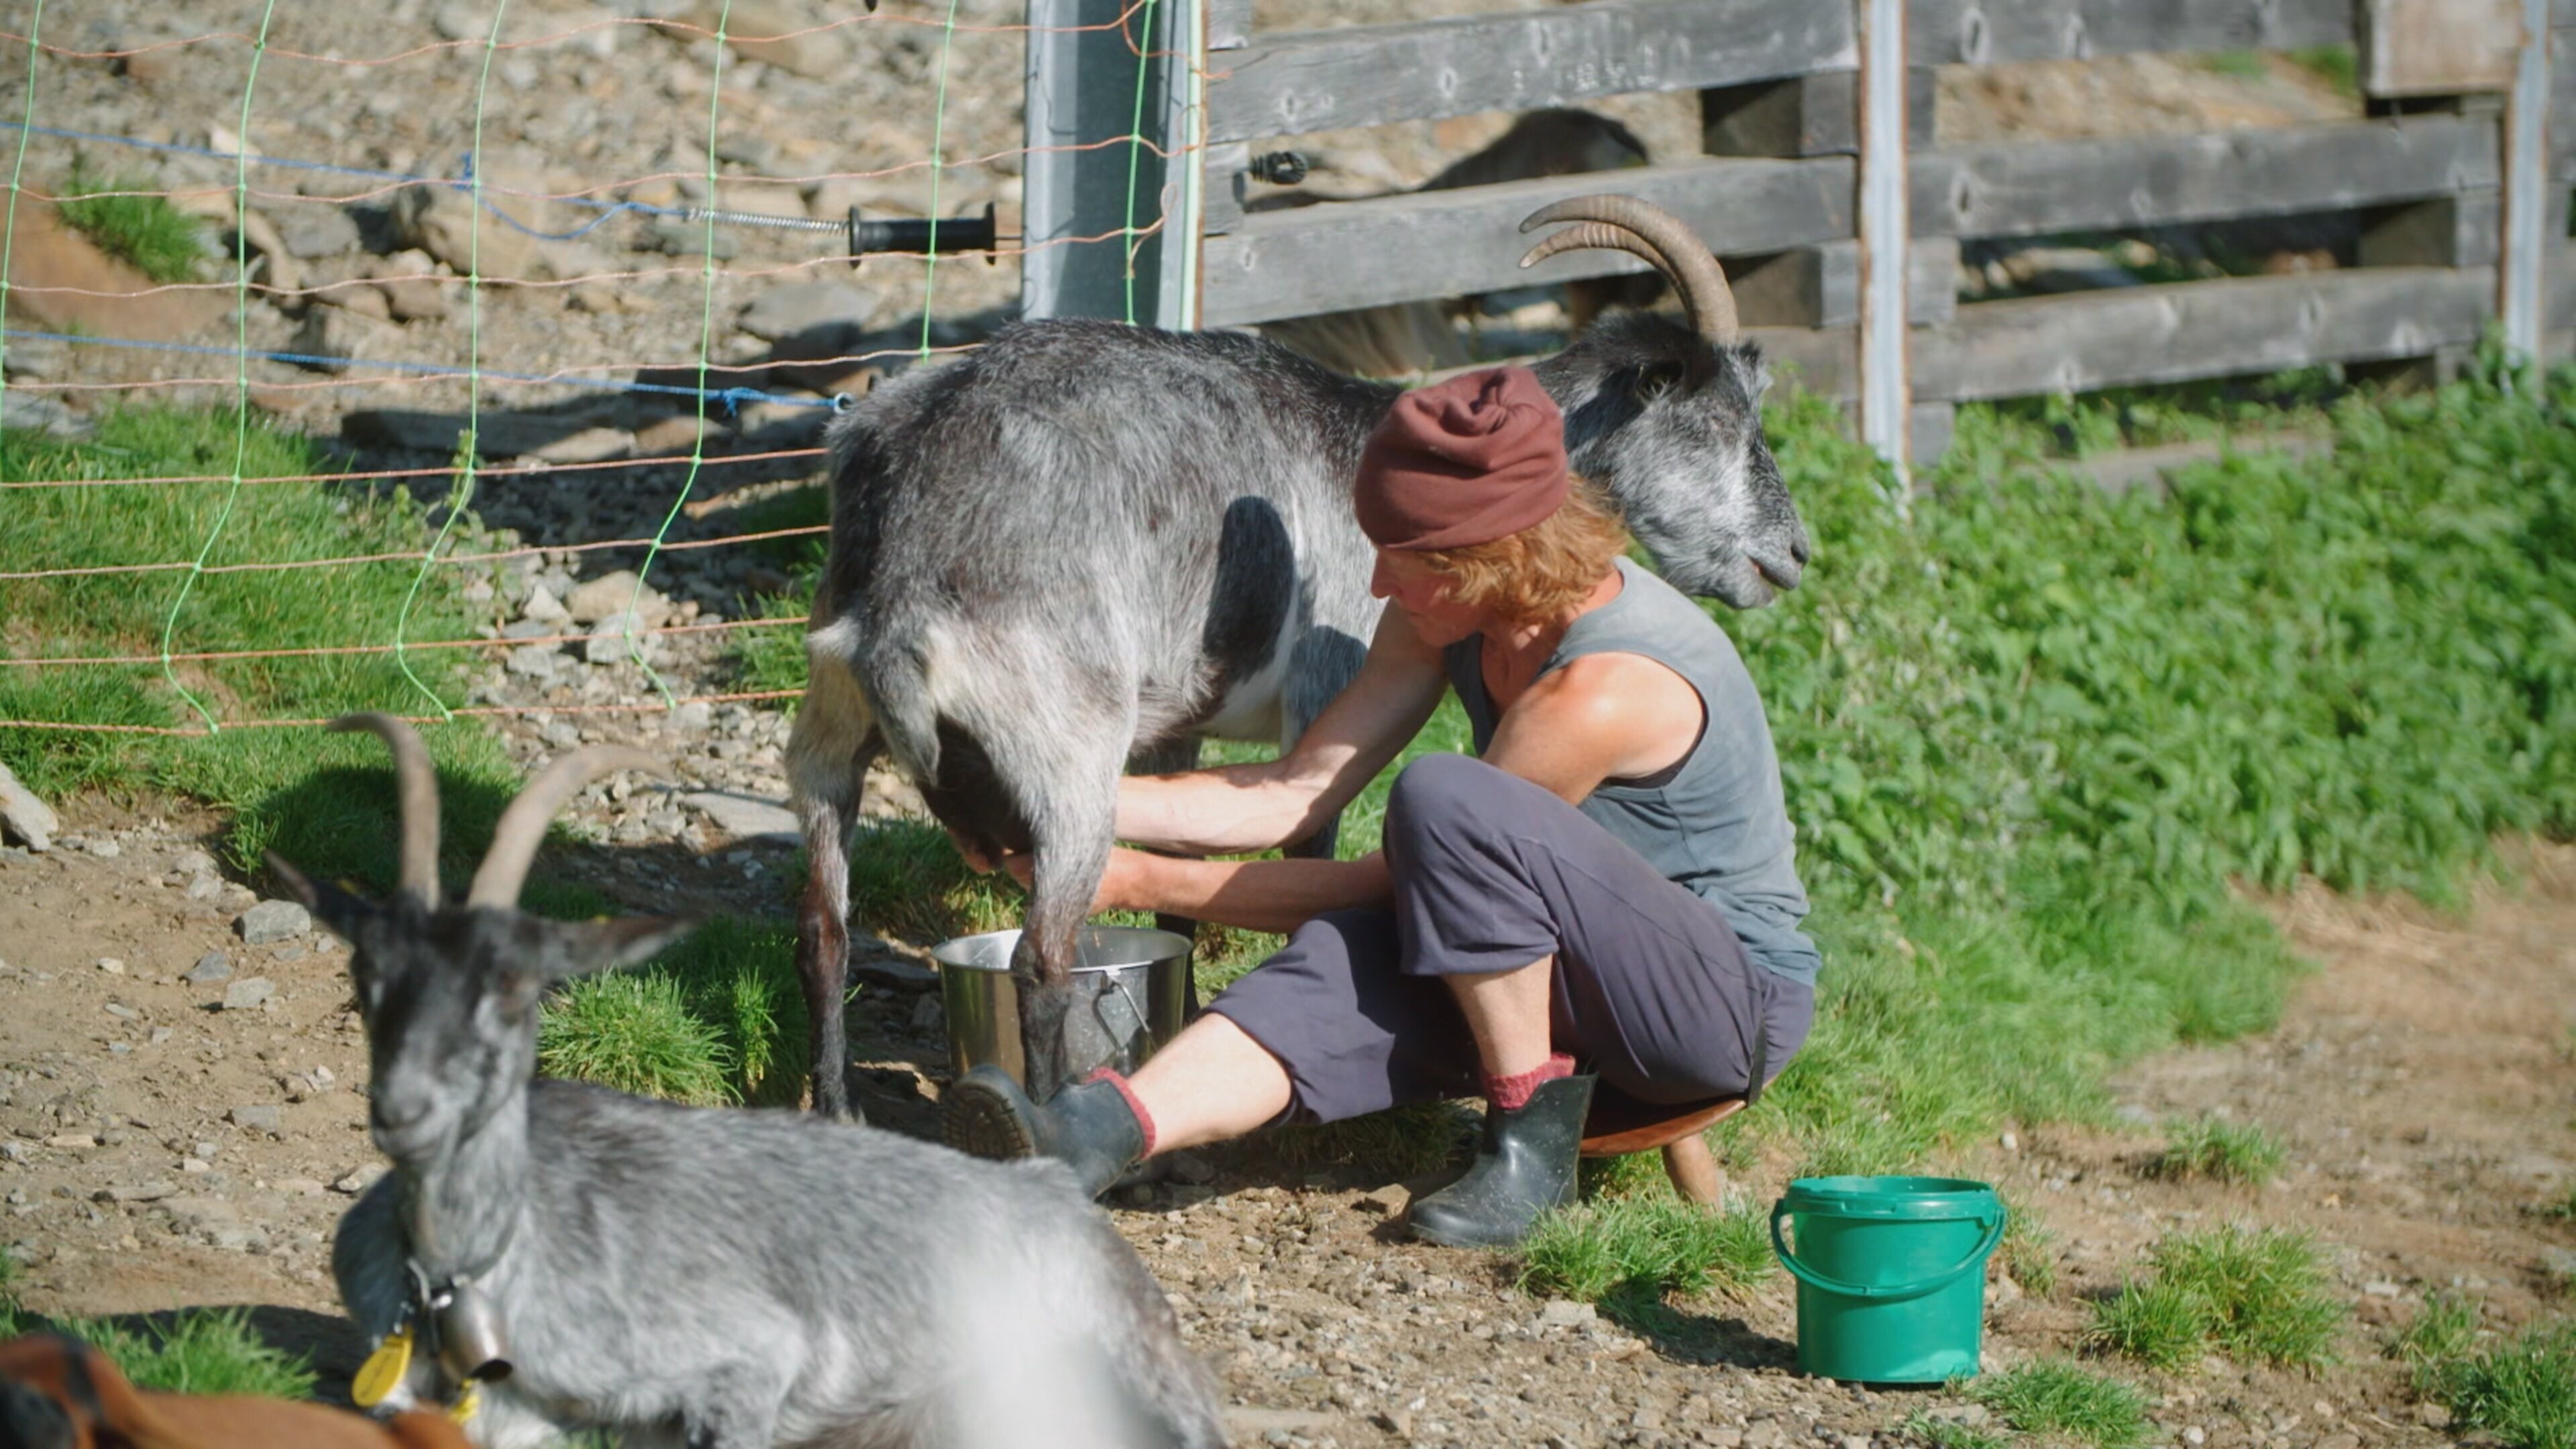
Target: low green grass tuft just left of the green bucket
(1645, 1247)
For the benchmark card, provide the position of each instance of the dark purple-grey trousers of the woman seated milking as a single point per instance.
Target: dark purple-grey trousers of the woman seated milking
(1493, 873)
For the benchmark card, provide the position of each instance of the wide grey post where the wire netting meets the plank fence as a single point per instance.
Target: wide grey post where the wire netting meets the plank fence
(1078, 195)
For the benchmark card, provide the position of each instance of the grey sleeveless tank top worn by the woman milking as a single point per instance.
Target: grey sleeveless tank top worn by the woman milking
(1714, 821)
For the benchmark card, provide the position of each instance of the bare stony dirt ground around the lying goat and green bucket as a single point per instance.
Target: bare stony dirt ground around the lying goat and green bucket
(161, 1151)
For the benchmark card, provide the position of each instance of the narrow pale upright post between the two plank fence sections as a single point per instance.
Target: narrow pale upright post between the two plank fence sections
(1884, 393)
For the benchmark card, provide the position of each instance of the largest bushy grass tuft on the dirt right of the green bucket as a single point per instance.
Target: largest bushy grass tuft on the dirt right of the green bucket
(2232, 1290)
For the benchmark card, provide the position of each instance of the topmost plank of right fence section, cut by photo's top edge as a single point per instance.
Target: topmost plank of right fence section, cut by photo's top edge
(1995, 32)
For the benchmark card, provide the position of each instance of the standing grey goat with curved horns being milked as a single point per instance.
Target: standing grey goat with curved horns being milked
(1088, 543)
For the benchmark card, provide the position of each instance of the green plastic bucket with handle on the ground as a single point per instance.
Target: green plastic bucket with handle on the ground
(1892, 1275)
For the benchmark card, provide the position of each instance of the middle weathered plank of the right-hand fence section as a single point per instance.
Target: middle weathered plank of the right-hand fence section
(2016, 190)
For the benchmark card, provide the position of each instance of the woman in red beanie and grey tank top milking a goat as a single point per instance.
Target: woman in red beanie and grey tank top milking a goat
(1601, 901)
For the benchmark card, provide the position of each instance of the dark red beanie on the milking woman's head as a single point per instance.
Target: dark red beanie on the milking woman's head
(1464, 463)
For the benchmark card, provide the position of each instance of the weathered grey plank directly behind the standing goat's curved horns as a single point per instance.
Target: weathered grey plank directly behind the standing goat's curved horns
(1449, 244)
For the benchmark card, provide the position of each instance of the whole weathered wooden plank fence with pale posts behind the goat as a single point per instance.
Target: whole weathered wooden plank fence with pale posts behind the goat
(2428, 179)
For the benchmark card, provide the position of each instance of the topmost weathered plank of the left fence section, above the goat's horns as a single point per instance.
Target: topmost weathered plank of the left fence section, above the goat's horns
(1361, 76)
